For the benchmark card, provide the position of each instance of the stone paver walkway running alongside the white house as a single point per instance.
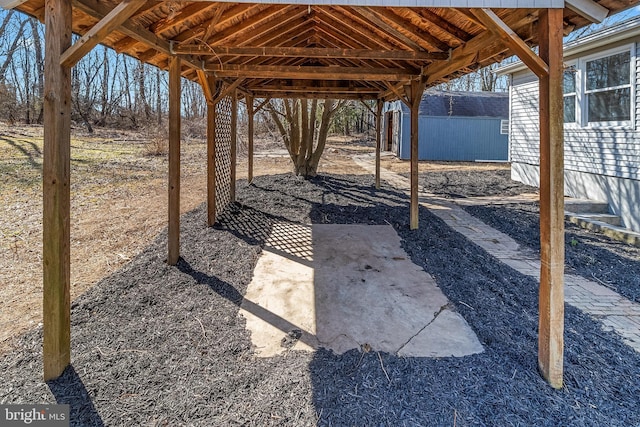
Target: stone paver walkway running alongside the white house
(614, 311)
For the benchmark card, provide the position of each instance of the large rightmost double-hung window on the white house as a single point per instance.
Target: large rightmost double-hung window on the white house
(608, 88)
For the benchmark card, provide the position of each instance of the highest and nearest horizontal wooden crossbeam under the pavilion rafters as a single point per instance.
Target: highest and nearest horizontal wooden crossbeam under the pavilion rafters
(310, 52)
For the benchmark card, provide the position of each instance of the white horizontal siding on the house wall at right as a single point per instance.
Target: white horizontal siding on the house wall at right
(600, 163)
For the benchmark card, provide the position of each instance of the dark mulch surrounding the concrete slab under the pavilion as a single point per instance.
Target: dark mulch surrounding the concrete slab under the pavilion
(160, 345)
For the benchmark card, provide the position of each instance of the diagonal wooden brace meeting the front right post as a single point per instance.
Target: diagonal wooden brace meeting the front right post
(512, 41)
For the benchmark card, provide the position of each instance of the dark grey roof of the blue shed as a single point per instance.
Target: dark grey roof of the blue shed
(465, 104)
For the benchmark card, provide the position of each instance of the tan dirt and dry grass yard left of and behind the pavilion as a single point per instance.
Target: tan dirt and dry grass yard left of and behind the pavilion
(118, 204)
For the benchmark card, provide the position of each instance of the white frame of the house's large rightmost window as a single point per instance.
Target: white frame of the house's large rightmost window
(582, 111)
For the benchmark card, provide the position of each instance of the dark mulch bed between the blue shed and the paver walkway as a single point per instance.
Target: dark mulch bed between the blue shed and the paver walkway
(471, 183)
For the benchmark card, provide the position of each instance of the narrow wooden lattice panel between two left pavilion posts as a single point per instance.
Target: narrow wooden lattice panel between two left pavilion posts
(223, 154)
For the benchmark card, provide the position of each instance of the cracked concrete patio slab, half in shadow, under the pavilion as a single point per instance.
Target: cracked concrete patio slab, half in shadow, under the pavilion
(356, 288)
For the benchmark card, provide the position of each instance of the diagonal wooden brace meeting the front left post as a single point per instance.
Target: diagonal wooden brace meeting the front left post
(98, 32)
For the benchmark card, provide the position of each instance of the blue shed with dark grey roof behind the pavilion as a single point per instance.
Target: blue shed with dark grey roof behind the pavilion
(455, 126)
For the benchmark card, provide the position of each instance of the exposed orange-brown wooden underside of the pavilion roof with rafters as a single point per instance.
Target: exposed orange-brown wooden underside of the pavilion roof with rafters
(363, 49)
